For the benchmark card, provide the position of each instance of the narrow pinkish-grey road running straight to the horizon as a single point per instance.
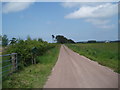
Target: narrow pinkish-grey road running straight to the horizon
(75, 71)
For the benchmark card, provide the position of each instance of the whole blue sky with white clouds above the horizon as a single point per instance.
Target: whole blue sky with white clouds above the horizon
(78, 21)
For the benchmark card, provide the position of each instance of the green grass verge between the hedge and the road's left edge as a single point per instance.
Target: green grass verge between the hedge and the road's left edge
(34, 76)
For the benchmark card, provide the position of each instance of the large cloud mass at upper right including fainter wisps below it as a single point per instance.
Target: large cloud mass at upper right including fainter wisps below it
(98, 14)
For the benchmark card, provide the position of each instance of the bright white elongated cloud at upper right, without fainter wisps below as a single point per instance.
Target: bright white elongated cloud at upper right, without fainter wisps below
(100, 11)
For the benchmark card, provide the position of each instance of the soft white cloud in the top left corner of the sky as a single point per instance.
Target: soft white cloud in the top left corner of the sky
(16, 6)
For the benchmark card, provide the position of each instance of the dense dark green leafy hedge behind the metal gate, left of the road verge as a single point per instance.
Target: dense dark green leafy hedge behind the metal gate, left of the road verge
(24, 50)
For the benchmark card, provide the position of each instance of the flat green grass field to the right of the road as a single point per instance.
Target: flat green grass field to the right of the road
(104, 53)
